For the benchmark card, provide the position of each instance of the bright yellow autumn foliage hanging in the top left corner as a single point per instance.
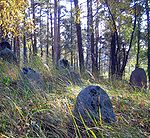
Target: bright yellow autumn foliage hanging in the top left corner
(12, 15)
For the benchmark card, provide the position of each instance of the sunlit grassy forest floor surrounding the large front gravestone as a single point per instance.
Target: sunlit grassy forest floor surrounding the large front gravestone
(26, 113)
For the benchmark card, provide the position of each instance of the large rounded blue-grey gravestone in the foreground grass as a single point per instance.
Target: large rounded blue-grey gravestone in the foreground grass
(93, 102)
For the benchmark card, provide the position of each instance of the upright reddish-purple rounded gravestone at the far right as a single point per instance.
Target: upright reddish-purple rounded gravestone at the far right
(138, 78)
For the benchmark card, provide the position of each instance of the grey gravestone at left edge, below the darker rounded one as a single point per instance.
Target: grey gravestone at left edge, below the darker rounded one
(8, 55)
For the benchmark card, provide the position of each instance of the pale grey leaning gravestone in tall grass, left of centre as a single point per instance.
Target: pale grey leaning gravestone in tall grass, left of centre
(32, 79)
